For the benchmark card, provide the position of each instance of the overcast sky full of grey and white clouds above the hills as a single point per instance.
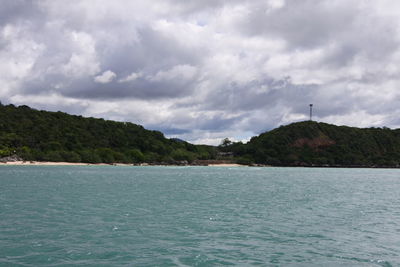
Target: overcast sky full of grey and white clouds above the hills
(203, 70)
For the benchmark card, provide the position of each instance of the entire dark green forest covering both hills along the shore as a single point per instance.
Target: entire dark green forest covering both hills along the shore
(57, 136)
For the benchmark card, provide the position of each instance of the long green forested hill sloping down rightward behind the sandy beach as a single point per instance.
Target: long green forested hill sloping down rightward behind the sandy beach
(56, 136)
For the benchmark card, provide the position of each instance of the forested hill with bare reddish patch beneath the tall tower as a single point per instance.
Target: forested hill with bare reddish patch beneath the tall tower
(311, 143)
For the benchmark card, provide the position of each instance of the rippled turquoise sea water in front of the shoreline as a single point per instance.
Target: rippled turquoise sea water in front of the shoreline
(198, 216)
